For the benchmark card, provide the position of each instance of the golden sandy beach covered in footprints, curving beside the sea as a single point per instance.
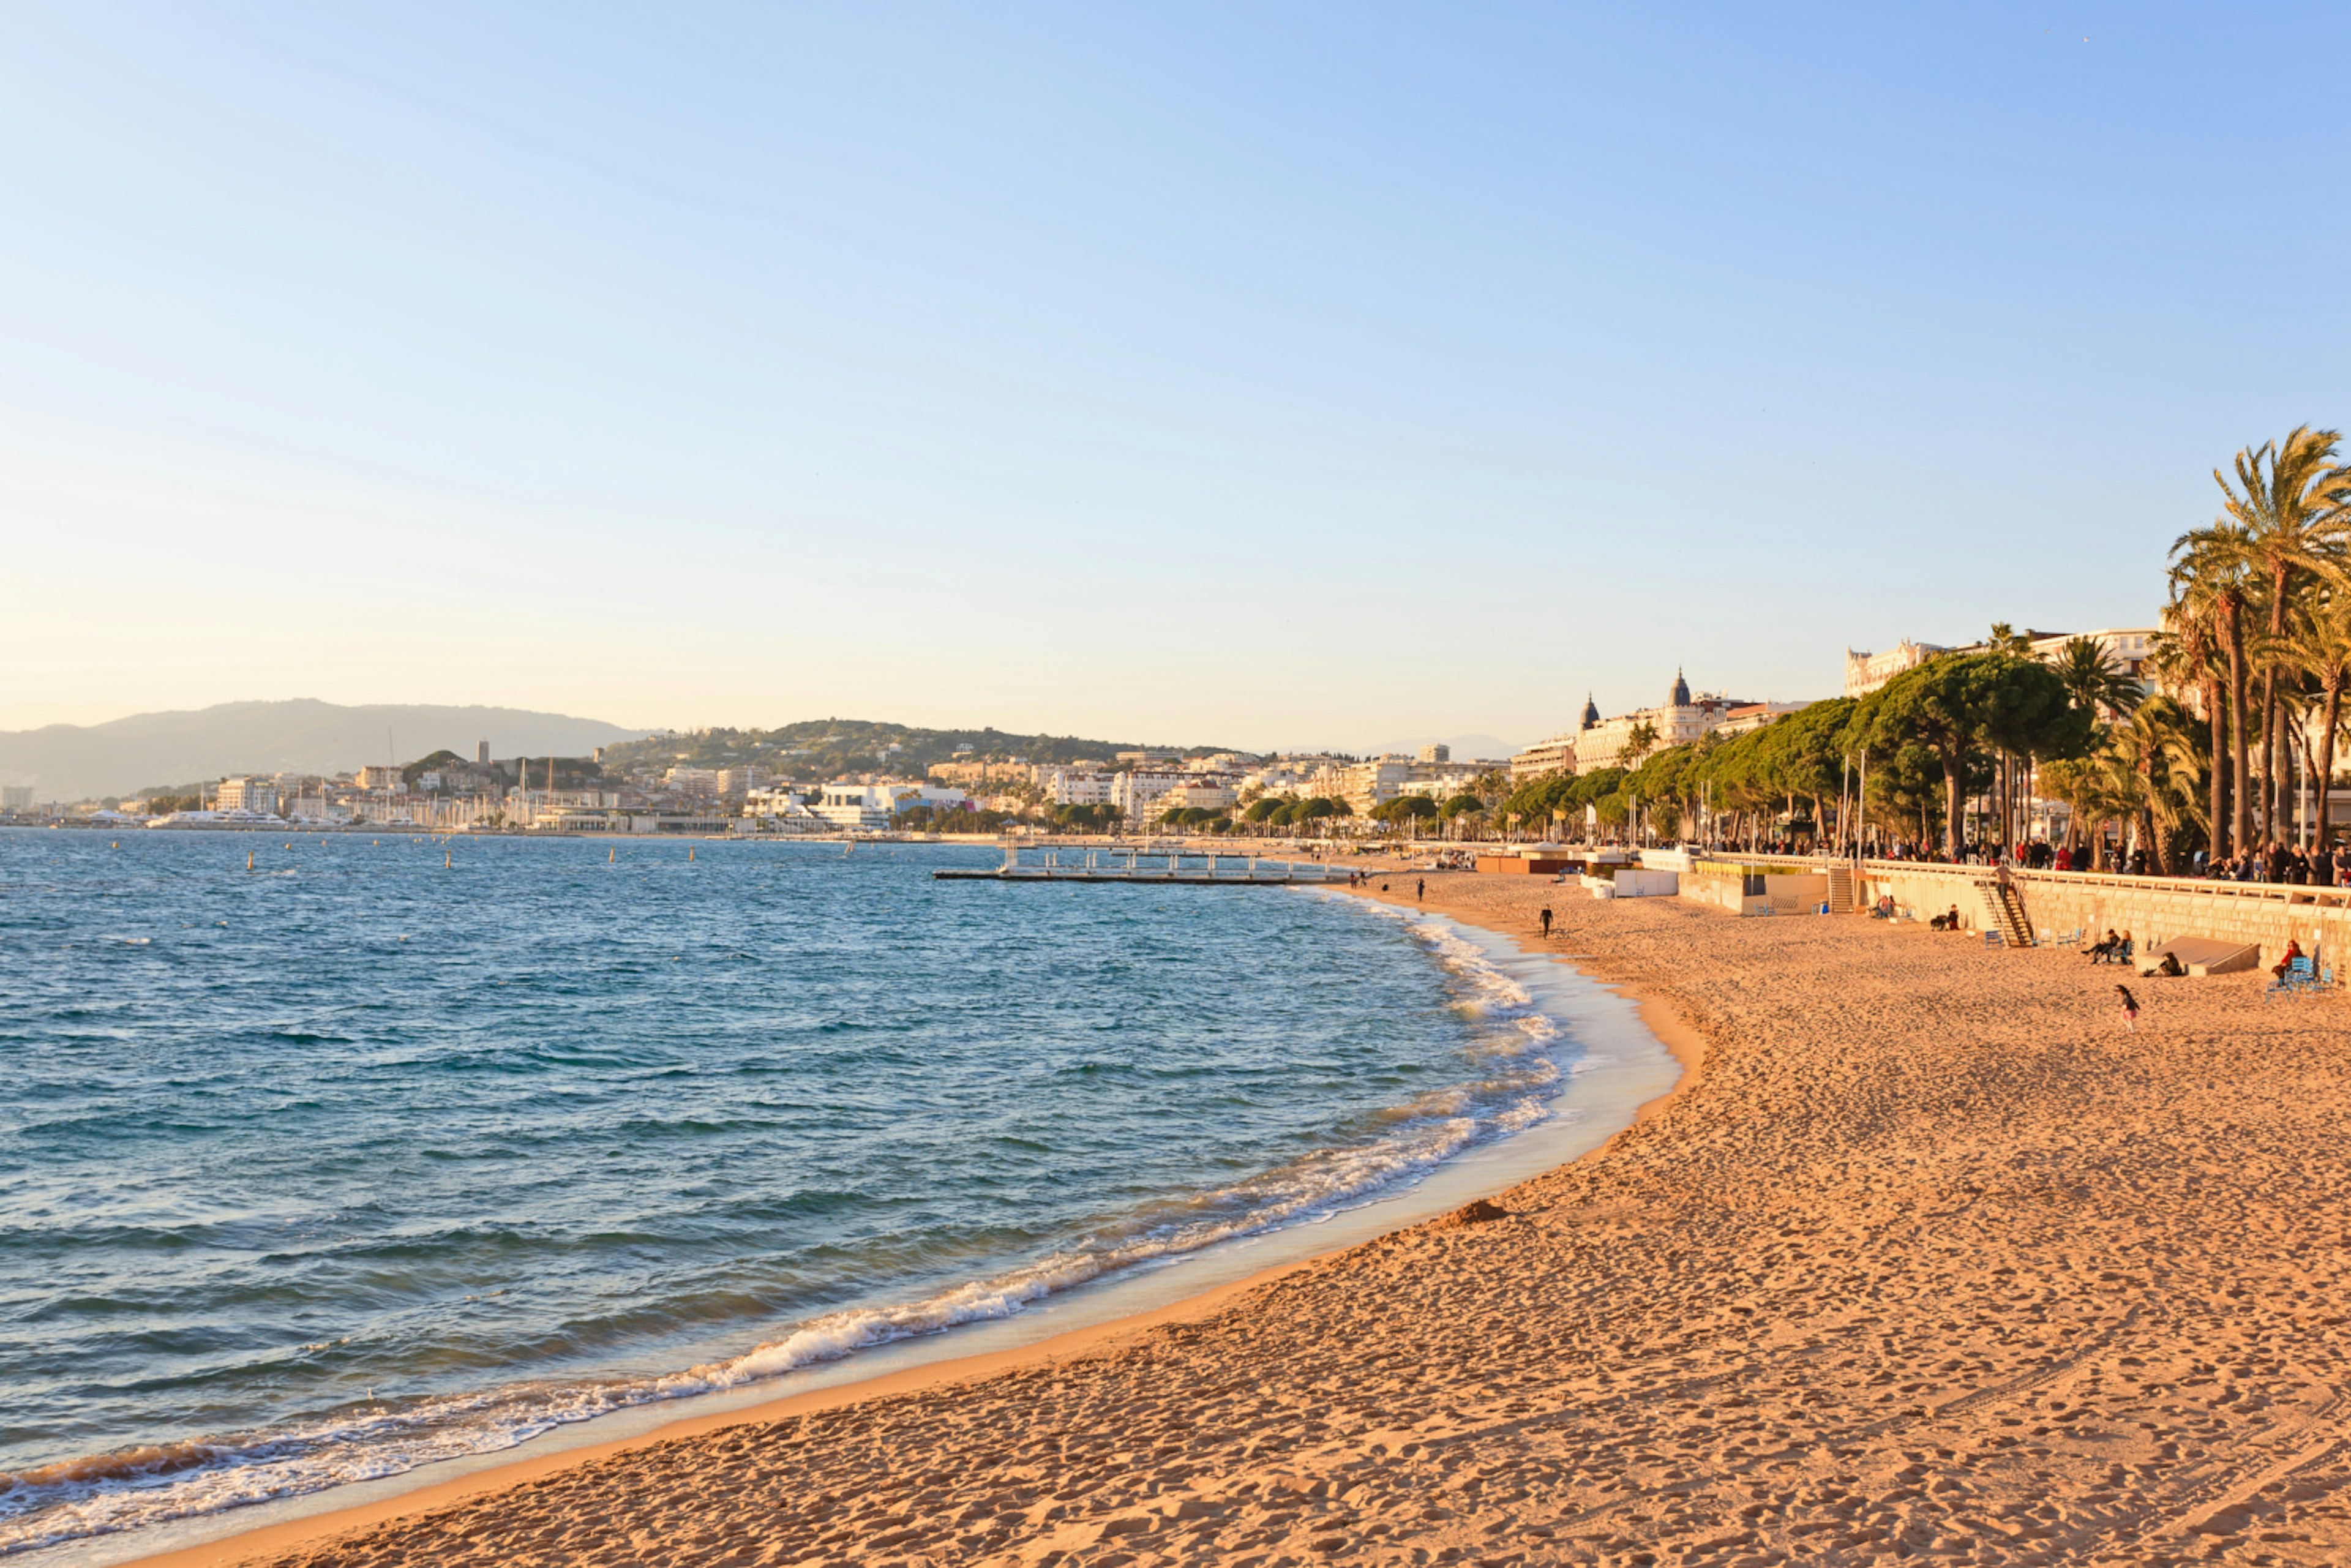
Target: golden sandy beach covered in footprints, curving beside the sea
(1929, 1261)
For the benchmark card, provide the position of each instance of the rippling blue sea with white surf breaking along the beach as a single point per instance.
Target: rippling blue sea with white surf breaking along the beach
(335, 1162)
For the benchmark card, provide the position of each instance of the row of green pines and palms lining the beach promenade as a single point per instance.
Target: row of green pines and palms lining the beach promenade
(2221, 763)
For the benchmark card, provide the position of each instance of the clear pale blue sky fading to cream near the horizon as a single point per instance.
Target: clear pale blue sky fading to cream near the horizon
(1278, 375)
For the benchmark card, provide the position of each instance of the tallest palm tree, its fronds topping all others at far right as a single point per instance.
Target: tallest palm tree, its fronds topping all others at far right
(2296, 507)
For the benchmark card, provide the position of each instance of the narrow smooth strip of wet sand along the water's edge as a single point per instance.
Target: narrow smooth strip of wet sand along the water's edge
(495, 1475)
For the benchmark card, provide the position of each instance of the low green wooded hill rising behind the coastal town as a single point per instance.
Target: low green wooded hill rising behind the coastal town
(824, 749)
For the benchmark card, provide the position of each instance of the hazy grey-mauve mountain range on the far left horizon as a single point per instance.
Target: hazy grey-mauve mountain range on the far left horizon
(300, 737)
